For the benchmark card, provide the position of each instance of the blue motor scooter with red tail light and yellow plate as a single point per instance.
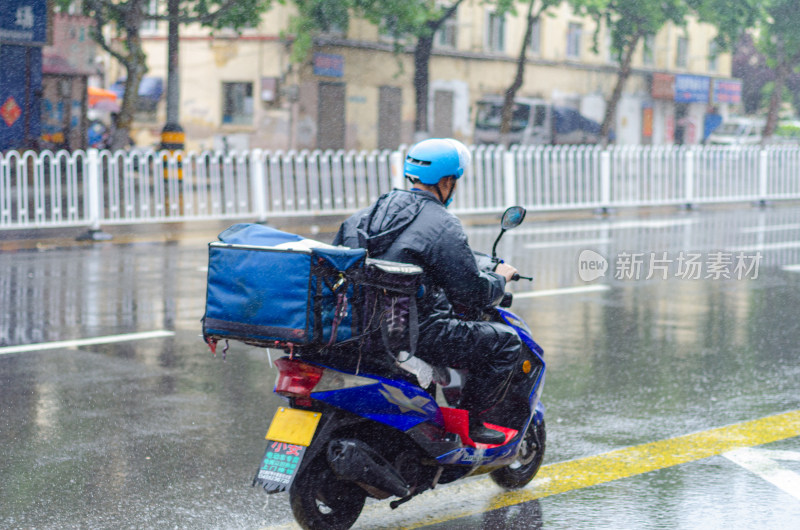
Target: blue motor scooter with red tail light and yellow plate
(345, 436)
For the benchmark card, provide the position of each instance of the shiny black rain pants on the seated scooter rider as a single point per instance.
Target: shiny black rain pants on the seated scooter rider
(489, 351)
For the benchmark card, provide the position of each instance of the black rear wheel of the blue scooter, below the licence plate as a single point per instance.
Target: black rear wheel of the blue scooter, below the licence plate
(319, 500)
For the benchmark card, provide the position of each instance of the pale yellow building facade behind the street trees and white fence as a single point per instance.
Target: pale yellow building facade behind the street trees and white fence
(239, 90)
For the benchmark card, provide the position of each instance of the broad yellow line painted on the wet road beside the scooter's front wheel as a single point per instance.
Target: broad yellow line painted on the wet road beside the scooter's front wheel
(474, 497)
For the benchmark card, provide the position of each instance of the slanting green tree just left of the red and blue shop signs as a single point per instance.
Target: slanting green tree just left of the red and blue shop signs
(629, 23)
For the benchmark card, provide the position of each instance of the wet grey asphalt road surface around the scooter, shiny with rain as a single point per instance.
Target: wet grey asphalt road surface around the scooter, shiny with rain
(156, 432)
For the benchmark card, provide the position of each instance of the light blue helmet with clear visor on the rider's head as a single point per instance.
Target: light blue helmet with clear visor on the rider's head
(431, 160)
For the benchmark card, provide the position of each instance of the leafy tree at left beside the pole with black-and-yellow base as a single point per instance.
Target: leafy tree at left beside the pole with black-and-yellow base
(125, 18)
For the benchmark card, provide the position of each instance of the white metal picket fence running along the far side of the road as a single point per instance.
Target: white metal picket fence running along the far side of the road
(95, 188)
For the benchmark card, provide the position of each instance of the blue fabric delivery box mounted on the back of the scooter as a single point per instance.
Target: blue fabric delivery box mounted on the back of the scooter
(267, 286)
